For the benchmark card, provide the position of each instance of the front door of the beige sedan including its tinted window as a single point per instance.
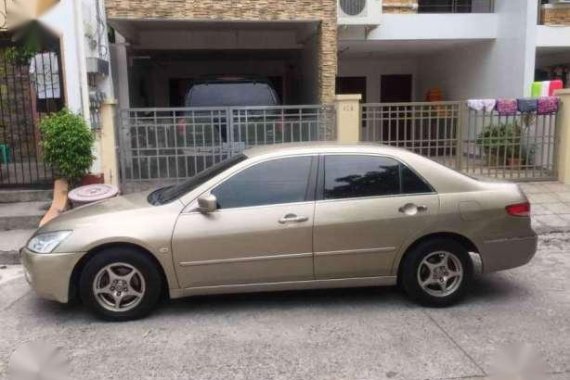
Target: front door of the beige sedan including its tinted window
(261, 232)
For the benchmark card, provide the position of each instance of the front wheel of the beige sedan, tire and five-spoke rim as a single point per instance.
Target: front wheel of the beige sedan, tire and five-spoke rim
(120, 284)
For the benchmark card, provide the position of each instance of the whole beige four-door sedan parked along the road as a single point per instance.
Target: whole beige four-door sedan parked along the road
(285, 217)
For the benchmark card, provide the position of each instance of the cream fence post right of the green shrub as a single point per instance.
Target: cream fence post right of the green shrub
(108, 143)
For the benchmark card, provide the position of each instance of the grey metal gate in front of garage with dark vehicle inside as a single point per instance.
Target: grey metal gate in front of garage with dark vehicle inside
(171, 144)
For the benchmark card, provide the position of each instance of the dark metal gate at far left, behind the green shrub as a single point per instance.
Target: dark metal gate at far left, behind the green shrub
(30, 88)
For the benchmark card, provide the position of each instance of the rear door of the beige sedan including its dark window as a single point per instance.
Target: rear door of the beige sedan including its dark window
(370, 205)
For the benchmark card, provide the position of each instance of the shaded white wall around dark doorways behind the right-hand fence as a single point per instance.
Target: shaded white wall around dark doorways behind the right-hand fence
(374, 67)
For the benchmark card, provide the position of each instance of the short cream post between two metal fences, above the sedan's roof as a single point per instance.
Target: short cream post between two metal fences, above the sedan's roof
(348, 118)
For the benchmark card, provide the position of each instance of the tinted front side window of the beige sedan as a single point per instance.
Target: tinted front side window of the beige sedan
(278, 181)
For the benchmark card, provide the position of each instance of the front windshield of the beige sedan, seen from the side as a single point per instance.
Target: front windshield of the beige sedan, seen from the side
(170, 193)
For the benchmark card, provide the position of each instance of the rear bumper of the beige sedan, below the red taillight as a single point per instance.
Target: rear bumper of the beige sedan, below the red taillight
(508, 253)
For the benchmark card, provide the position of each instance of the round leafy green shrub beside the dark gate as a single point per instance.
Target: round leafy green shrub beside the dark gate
(67, 142)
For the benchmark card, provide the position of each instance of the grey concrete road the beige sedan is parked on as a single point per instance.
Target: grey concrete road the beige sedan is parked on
(333, 334)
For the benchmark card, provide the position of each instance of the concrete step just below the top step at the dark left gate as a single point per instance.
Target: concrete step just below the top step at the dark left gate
(21, 215)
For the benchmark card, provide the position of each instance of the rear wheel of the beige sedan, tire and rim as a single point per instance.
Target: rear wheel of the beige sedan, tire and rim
(437, 272)
